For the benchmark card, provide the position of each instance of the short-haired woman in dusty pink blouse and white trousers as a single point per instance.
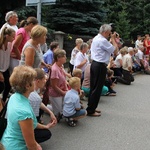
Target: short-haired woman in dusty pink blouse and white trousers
(58, 82)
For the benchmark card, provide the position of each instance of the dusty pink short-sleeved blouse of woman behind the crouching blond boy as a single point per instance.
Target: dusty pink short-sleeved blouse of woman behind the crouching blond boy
(58, 73)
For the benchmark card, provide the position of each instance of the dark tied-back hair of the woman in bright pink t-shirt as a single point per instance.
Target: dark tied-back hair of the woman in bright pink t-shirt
(29, 20)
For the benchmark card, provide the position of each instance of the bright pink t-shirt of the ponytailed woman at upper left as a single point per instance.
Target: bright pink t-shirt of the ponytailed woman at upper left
(25, 36)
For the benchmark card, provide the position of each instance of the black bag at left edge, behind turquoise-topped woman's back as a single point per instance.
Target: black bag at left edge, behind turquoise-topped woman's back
(3, 120)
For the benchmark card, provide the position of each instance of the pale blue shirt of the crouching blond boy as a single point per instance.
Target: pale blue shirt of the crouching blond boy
(71, 102)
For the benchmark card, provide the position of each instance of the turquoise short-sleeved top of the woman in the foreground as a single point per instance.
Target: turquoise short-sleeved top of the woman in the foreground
(18, 109)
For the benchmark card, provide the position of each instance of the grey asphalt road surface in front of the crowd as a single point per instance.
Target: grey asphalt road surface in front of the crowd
(123, 125)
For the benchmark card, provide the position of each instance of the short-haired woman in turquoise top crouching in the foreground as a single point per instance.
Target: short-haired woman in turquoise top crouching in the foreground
(21, 121)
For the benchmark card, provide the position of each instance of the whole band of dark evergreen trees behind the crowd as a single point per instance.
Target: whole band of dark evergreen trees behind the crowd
(131, 17)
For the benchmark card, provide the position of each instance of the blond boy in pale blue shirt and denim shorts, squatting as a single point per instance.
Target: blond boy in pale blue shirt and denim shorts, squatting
(72, 110)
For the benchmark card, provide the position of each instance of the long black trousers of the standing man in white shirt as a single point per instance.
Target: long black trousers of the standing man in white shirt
(97, 79)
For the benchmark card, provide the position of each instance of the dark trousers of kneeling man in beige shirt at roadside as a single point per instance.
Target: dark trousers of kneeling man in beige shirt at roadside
(127, 77)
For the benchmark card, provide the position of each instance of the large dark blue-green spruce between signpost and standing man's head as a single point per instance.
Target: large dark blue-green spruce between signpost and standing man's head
(76, 16)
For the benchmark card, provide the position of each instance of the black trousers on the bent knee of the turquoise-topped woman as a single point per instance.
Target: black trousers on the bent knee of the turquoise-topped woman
(42, 135)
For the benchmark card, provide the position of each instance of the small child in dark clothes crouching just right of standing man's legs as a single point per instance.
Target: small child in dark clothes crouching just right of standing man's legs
(110, 82)
